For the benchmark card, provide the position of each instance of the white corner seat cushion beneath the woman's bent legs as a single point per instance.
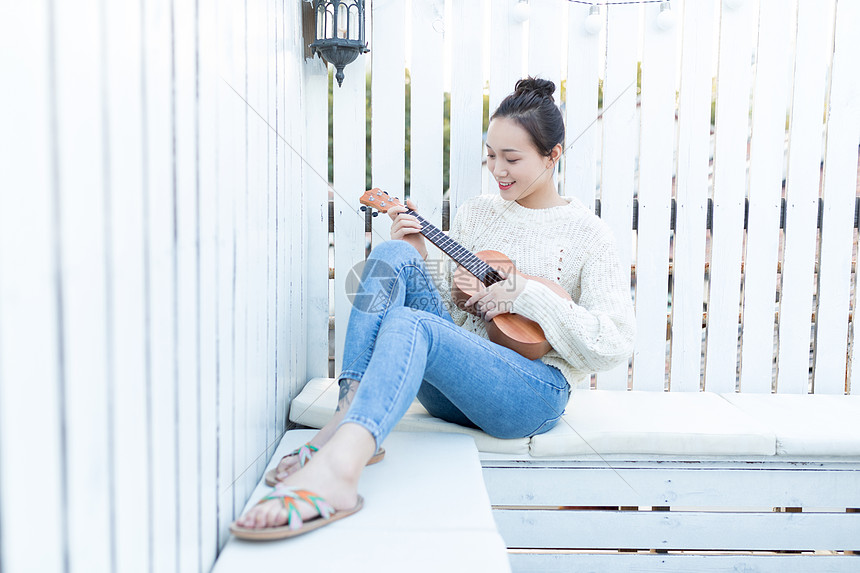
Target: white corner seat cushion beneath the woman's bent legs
(316, 403)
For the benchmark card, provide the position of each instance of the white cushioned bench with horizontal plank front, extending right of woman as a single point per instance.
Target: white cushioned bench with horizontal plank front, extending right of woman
(668, 472)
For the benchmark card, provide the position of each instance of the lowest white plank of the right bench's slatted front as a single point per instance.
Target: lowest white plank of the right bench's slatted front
(563, 562)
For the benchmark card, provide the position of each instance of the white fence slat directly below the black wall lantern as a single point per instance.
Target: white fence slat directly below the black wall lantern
(349, 180)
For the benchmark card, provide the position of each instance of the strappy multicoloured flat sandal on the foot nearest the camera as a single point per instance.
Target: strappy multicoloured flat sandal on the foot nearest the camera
(295, 524)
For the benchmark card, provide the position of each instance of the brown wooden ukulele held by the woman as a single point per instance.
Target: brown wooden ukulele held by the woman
(475, 272)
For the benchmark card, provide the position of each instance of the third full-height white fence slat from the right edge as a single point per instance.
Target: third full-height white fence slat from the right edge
(767, 146)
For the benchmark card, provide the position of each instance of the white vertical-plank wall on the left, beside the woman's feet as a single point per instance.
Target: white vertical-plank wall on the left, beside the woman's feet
(153, 284)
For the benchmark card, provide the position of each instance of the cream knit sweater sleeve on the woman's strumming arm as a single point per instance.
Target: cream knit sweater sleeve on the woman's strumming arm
(597, 331)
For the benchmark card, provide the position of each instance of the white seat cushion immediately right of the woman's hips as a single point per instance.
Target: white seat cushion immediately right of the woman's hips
(667, 423)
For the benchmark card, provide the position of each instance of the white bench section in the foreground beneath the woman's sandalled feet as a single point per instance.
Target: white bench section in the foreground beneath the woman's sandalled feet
(425, 509)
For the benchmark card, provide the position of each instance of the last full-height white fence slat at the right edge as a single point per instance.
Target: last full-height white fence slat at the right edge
(840, 189)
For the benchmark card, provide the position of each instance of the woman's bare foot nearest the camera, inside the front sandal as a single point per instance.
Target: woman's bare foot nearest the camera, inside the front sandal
(332, 474)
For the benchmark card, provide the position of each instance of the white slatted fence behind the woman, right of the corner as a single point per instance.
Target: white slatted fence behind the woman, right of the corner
(719, 306)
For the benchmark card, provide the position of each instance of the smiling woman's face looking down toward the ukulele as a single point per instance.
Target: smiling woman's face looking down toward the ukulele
(523, 174)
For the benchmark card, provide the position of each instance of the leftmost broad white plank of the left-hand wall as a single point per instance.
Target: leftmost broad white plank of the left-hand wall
(31, 438)
